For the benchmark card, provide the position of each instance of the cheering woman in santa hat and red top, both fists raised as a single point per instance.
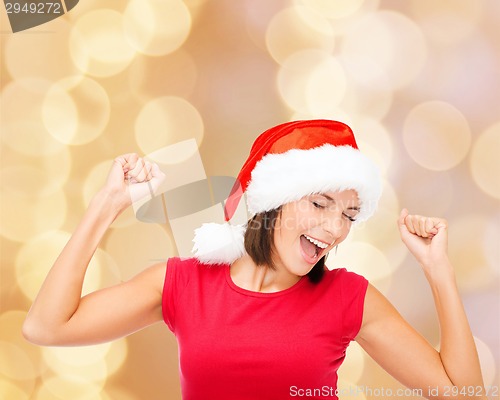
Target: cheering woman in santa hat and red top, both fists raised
(256, 314)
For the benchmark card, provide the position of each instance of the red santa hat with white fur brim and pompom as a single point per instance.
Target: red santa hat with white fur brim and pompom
(286, 163)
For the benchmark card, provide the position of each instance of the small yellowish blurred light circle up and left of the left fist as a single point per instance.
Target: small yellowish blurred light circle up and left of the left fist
(76, 111)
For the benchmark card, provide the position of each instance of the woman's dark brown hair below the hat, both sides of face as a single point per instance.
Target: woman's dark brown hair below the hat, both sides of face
(259, 243)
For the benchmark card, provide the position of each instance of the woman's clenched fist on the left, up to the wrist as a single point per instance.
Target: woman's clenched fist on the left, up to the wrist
(132, 178)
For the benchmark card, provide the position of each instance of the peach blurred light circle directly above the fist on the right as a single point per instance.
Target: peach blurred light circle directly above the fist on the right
(436, 135)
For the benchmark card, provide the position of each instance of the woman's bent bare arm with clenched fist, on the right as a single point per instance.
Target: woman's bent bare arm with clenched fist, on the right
(453, 371)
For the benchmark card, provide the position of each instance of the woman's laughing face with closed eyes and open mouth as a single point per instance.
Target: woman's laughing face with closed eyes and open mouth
(309, 228)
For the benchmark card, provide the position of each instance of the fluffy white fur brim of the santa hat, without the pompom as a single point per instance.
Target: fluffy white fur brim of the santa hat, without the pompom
(278, 179)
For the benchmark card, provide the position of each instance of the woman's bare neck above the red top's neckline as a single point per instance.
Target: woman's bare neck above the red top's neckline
(247, 275)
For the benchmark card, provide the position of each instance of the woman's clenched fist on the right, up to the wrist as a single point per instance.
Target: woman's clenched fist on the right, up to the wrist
(426, 238)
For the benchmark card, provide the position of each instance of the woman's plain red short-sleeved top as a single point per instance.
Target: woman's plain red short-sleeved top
(239, 344)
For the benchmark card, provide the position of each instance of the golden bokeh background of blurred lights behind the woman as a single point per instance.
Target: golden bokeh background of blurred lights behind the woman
(418, 81)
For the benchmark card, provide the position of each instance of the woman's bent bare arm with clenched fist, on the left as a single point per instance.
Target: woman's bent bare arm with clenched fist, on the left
(59, 315)
